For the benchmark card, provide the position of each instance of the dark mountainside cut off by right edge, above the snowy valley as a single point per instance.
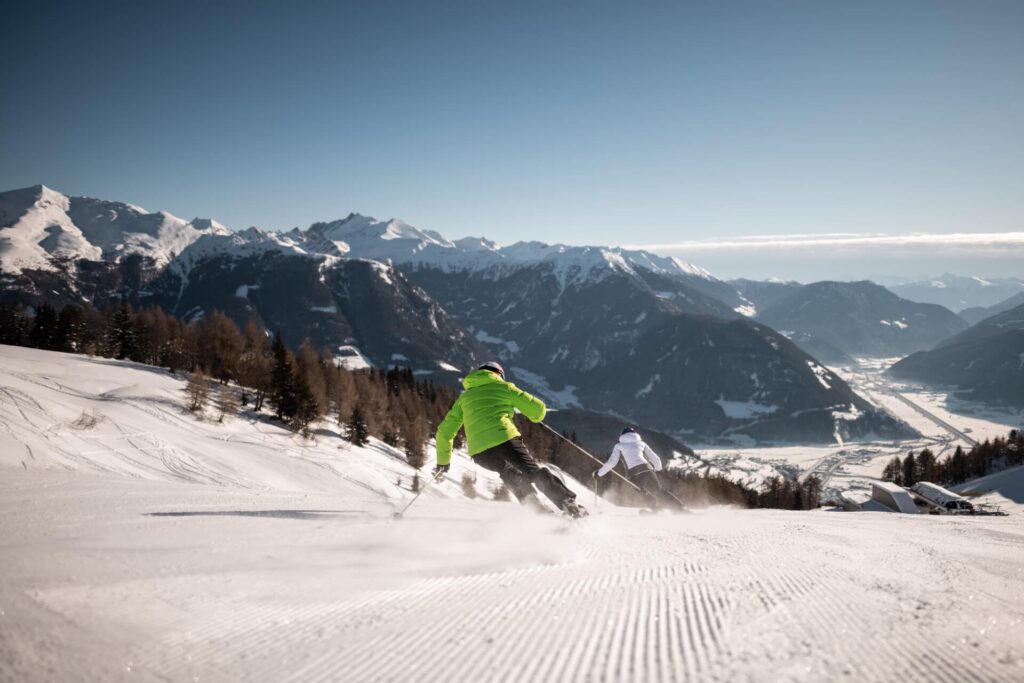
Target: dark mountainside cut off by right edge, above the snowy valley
(986, 361)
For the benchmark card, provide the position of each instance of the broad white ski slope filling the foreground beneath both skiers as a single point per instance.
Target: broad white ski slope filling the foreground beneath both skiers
(142, 544)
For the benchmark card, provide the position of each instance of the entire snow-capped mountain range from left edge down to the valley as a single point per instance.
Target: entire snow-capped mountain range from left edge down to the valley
(654, 340)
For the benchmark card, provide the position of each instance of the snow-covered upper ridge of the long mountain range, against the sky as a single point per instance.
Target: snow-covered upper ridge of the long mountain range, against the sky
(39, 226)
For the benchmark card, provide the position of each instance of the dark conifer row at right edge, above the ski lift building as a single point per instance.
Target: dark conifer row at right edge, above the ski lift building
(986, 458)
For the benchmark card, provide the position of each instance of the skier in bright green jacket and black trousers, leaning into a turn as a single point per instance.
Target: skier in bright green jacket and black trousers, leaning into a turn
(486, 409)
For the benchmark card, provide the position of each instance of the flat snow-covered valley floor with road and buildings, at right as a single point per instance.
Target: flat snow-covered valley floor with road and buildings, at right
(944, 421)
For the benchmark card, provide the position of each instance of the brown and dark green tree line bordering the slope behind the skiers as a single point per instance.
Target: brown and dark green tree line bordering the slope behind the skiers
(305, 386)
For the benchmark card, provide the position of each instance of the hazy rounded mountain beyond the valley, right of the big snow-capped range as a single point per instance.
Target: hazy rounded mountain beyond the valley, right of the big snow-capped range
(840, 320)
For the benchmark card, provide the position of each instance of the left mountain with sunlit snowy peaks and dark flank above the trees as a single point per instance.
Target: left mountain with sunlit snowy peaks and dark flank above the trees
(65, 250)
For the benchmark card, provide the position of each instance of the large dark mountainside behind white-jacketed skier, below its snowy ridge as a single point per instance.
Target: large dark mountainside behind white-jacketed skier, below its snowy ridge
(617, 346)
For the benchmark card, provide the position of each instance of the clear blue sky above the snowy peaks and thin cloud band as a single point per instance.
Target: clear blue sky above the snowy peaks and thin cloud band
(591, 122)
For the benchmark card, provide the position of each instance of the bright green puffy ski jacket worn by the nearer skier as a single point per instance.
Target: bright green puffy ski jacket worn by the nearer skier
(486, 409)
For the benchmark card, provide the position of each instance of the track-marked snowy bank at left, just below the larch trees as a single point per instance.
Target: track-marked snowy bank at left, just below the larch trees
(62, 411)
